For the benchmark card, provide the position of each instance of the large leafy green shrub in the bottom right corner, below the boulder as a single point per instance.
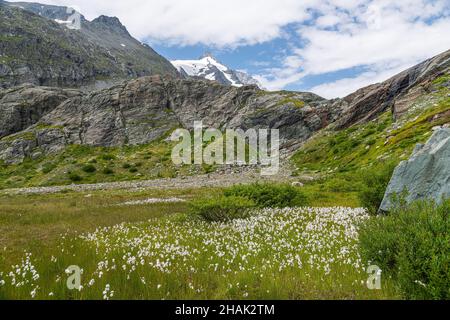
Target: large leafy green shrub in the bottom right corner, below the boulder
(412, 244)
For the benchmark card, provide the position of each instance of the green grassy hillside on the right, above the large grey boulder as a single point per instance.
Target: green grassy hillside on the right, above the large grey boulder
(332, 153)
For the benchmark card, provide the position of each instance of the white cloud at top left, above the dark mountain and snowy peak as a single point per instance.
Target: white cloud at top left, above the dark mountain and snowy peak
(186, 22)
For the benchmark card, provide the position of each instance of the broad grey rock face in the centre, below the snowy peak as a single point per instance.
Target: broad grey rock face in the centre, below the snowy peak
(143, 110)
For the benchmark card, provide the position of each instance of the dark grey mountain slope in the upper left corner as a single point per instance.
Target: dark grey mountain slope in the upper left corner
(37, 47)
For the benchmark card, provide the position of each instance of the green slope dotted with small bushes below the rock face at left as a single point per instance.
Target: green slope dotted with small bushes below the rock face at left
(85, 164)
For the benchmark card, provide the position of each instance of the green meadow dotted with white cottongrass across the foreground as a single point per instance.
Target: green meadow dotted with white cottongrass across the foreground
(49, 227)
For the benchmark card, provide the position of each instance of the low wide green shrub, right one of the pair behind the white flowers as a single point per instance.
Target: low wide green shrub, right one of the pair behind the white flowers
(266, 195)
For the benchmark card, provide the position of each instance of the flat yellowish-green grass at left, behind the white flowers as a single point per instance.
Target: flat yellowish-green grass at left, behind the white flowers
(35, 221)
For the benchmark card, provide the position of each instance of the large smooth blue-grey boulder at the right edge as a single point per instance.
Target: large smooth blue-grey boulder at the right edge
(426, 175)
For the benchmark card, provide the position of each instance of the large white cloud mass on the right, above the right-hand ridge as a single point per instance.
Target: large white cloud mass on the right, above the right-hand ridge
(383, 37)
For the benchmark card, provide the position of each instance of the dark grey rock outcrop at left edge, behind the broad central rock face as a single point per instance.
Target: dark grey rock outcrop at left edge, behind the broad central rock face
(25, 105)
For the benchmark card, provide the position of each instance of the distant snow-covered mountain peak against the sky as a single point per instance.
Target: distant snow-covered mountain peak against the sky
(209, 68)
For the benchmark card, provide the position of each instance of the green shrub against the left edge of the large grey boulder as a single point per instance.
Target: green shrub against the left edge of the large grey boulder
(374, 183)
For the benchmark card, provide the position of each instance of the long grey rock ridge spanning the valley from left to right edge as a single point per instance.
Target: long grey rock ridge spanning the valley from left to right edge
(146, 109)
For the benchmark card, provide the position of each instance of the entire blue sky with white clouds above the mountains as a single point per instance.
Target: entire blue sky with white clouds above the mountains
(330, 47)
